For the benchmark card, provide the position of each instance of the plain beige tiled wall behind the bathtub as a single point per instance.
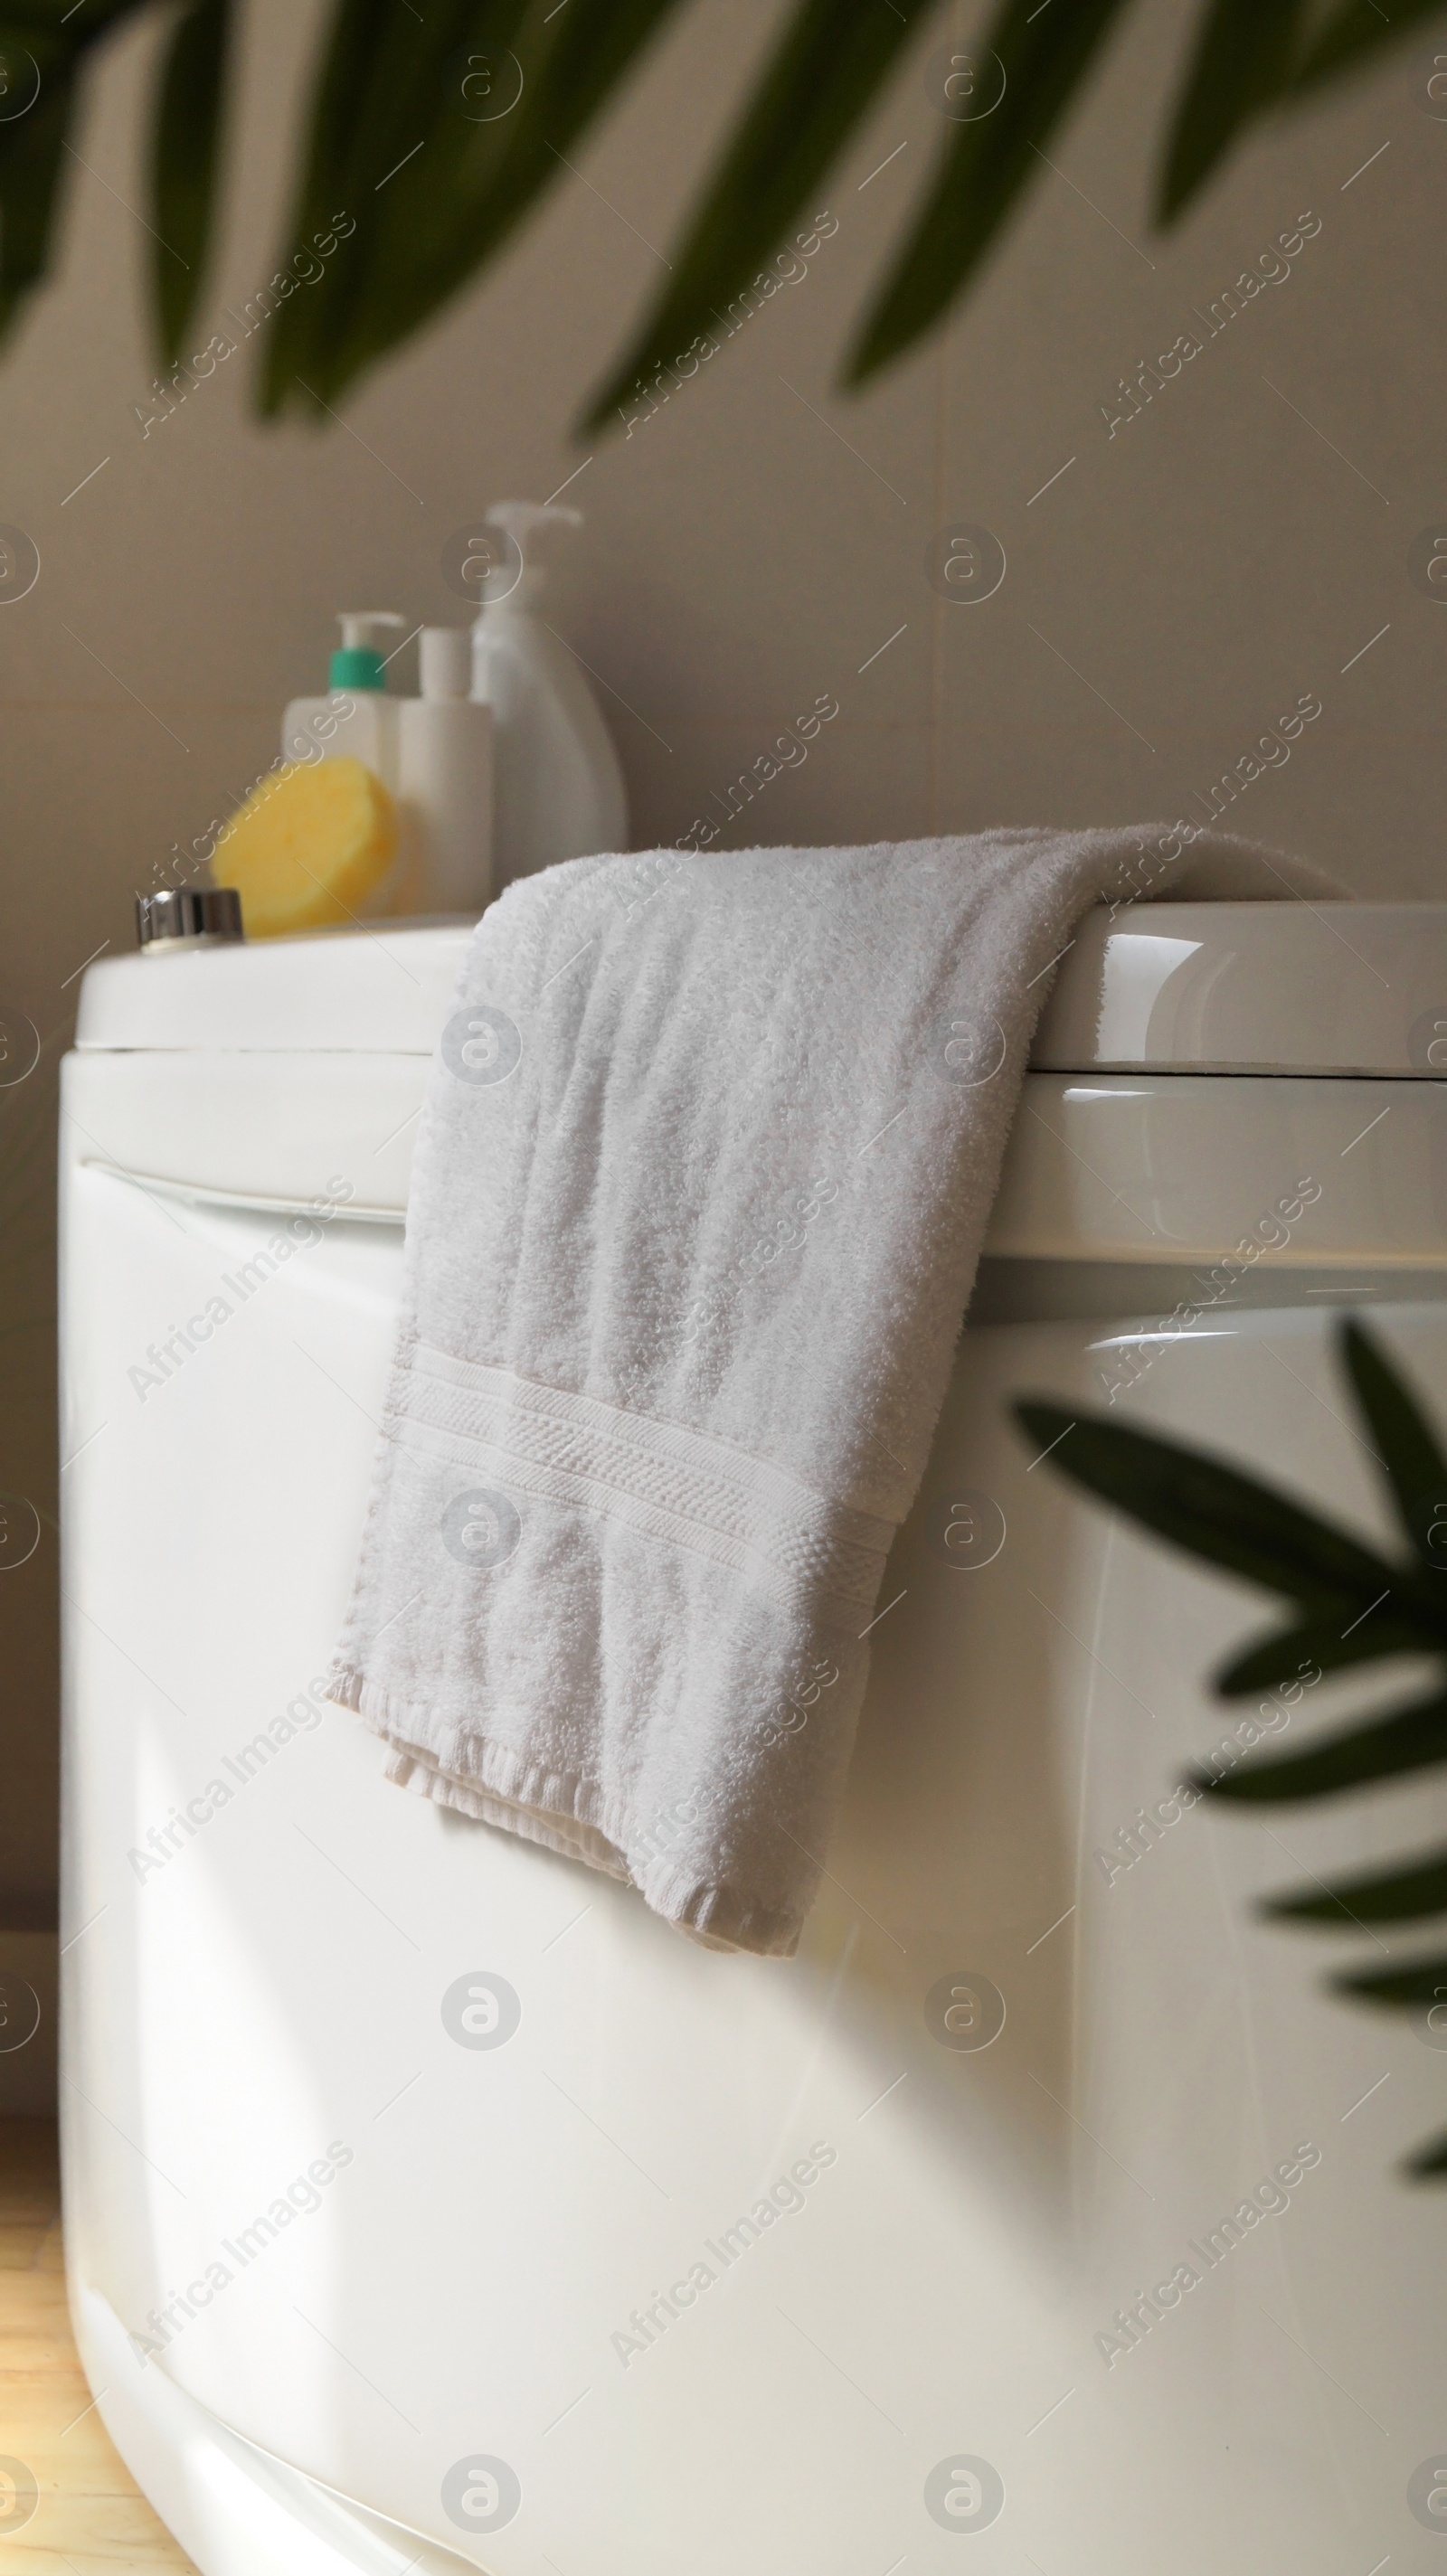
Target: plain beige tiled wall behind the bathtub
(1168, 596)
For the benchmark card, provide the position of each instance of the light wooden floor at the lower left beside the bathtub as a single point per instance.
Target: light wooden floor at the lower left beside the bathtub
(91, 2518)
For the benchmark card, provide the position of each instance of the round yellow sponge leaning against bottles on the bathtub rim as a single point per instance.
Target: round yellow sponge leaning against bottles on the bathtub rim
(308, 846)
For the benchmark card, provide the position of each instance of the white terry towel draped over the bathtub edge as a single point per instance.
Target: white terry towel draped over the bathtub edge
(699, 1197)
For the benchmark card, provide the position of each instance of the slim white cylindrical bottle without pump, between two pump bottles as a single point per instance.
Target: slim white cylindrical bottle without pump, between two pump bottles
(447, 779)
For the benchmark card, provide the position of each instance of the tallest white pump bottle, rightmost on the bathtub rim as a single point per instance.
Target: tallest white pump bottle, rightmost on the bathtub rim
(557, 782)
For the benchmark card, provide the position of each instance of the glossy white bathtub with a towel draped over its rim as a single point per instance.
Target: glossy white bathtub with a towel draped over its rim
(1044, 2199)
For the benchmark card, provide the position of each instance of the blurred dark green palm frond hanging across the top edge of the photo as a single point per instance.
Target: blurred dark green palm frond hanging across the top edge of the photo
(418, 194)
